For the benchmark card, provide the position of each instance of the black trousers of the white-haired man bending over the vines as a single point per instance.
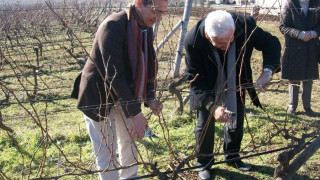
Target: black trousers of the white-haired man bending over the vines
(204, 132)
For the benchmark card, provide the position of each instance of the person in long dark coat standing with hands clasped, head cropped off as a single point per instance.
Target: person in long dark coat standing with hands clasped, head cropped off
(300, 24)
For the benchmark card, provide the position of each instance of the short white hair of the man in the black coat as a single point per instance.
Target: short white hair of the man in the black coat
(218, 24)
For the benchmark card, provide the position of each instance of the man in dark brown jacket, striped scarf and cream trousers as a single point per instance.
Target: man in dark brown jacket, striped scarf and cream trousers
(117, 78)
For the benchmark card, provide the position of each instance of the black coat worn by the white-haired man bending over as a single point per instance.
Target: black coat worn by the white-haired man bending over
(200, 58)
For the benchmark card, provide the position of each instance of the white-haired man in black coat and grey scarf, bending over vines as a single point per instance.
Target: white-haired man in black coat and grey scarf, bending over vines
(218, 52)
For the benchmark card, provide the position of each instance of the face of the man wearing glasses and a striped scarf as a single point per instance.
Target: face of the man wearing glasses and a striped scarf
(153, 12)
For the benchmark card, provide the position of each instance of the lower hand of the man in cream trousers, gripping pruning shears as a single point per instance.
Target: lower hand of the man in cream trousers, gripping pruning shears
(139, 123)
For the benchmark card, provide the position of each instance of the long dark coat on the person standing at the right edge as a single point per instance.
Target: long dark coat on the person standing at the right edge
(300, 59)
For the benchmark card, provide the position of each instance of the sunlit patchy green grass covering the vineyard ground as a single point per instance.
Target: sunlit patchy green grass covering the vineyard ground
(33, 152)
